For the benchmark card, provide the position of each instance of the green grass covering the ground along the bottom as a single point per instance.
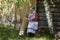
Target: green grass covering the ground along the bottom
(11, 34)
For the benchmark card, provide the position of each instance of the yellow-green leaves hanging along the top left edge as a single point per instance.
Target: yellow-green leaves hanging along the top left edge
(18, 2)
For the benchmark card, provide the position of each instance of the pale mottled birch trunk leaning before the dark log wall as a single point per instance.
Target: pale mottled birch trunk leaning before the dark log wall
(48, 16)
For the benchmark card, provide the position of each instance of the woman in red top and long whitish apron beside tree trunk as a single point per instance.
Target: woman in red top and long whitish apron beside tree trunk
(32, 22)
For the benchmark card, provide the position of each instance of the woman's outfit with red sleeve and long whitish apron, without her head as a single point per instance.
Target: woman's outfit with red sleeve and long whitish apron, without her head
(33, 24)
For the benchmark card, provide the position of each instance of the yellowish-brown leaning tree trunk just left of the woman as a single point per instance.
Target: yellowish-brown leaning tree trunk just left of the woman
(25, 9)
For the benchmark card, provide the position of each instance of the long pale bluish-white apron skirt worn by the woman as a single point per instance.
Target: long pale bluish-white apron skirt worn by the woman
(32, 25)
